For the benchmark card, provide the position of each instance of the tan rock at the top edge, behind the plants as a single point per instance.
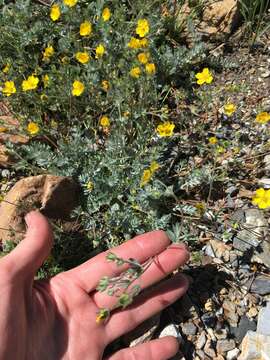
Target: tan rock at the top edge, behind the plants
(219, 18)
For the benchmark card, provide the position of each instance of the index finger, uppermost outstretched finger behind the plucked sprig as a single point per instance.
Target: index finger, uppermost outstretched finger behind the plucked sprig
(141, 248)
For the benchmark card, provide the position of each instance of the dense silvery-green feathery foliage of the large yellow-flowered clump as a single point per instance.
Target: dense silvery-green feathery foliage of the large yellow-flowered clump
(107, 161)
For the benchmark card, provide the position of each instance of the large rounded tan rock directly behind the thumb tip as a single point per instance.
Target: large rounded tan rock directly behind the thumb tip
(54, 196)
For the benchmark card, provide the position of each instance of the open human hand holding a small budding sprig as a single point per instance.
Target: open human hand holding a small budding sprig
(56, 318)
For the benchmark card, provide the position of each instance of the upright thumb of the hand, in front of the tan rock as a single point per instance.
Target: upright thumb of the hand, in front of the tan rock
(31, 252)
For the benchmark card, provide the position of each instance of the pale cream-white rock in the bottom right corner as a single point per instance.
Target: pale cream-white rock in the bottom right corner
(255, 346)
